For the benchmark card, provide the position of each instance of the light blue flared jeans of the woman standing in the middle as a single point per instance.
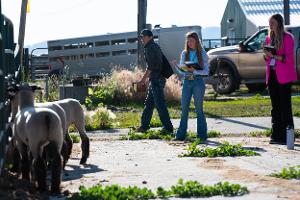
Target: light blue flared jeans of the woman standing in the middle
(191, 88)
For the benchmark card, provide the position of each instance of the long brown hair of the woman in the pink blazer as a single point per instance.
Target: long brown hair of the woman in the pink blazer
(278, 37)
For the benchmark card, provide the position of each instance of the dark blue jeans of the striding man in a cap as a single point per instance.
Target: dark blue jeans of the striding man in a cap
(155, 98)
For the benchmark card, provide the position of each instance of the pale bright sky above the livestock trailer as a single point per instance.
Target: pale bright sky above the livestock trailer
(58, 19)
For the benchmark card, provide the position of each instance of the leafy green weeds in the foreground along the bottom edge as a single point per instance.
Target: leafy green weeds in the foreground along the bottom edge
(181, 189)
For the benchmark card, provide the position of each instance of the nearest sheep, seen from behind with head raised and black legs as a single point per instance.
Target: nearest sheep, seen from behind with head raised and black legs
(38, 129)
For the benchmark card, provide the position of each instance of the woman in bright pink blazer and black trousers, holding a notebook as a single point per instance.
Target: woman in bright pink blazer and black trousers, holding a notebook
(281, 72)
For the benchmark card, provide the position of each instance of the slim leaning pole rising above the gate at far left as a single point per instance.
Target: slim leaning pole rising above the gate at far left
(22, 29)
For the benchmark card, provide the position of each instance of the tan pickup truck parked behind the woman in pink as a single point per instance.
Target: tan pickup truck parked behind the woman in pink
(244, 63)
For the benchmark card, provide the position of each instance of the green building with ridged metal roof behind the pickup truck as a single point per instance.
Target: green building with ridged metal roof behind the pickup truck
(242, 18)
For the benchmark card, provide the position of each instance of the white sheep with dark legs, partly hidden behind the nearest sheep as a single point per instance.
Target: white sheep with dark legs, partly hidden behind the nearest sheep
(70, 112)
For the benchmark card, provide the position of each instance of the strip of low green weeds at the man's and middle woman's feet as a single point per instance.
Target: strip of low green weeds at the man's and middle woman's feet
(163, 135)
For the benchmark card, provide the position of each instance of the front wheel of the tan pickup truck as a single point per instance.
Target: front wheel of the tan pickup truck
(226, 84)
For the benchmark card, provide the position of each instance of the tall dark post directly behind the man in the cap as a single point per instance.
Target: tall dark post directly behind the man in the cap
(142, 15)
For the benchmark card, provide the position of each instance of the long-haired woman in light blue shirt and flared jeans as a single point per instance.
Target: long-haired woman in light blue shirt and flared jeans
(193, 85)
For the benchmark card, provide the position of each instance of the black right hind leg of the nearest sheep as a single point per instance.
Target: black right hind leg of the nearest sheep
(56, 174)
